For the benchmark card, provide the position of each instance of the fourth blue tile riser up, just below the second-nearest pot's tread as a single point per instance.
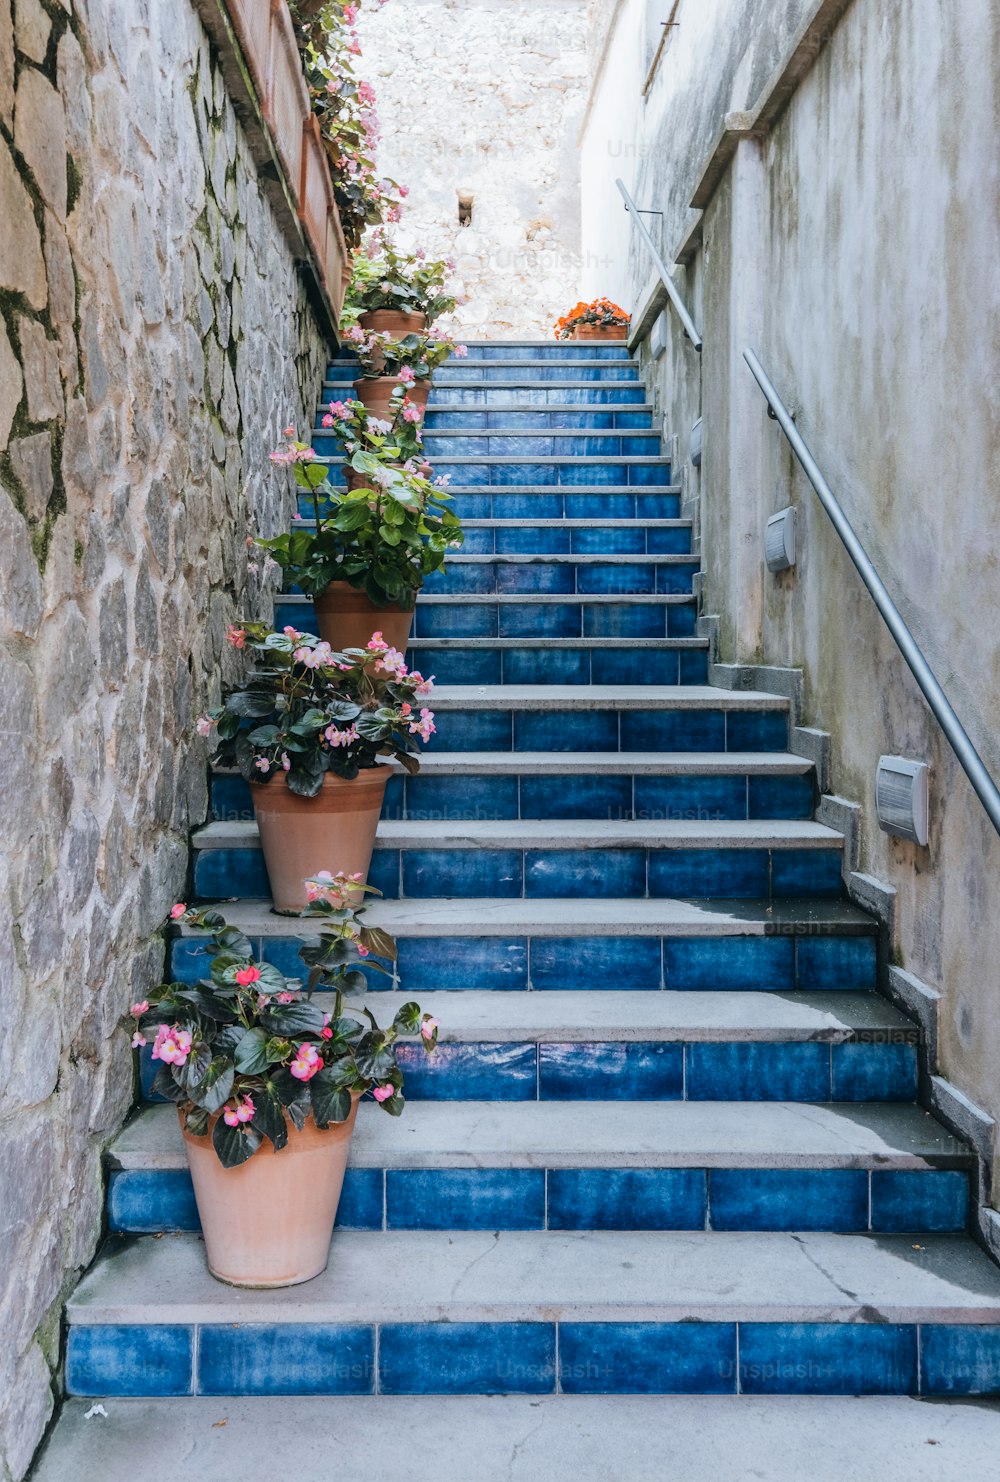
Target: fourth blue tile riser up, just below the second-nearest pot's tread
(779, 961)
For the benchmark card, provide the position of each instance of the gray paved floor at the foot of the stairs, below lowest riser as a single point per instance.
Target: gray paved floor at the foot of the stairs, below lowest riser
(562, 1438)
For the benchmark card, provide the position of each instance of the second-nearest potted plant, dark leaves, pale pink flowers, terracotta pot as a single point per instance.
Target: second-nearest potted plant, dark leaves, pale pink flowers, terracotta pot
(319, 721)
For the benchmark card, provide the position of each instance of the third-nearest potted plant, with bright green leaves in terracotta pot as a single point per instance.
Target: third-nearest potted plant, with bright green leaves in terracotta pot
(374, 545)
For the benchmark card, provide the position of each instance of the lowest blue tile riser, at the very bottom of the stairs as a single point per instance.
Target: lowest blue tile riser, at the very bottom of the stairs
(534, 1358)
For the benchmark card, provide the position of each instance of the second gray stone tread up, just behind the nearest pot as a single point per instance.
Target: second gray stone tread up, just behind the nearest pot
(608, 1134)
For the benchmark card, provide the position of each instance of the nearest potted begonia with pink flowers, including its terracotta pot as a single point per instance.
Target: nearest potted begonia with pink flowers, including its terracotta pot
(267, 1080)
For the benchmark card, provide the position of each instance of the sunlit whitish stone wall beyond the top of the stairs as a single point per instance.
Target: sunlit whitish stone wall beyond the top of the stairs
(487, 97)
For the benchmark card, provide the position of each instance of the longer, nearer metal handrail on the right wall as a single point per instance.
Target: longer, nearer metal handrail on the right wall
(958, 736)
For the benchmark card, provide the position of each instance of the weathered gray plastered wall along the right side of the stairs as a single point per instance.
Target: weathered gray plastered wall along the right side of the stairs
(854, 247)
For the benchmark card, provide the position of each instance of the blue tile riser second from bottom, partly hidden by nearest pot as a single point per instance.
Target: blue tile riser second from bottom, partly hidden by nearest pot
(845, 1201)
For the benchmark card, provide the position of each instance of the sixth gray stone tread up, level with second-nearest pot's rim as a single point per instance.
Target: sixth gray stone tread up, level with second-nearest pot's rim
(604, 764)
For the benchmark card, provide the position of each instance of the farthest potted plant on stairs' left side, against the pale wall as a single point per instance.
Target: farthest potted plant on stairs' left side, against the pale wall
(396, 293)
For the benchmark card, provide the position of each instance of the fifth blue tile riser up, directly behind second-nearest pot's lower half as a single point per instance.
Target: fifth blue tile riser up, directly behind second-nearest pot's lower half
(713, 874)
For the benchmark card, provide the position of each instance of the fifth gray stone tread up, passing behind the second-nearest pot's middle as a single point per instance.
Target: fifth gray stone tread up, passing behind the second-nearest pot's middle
(565, 834)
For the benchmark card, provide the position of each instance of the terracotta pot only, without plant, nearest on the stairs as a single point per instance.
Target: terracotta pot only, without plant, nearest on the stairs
(269, 1222)
